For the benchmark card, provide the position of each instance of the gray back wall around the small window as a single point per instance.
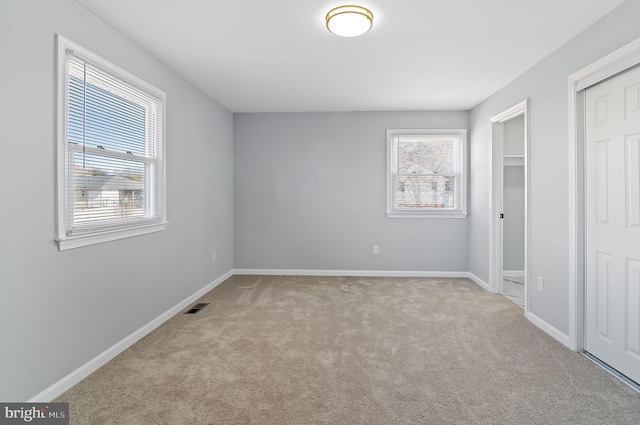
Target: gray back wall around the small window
(310, 193)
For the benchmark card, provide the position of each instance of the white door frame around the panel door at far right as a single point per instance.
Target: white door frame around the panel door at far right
(614, 63)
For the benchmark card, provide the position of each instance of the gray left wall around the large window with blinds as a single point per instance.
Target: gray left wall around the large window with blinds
(60, 309)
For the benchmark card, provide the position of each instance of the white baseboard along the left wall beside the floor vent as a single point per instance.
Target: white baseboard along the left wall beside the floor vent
(101, 359)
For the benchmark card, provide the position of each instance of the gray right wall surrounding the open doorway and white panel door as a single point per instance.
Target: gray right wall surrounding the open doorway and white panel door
(546, 87)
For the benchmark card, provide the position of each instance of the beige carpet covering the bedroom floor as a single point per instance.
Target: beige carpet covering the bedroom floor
(317, 350)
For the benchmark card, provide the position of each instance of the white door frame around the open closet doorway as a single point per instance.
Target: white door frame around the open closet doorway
(497, 196)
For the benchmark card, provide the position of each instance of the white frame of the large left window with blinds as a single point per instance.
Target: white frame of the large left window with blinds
(127, 229)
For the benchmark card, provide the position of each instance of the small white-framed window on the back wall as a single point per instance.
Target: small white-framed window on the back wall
(427, 173)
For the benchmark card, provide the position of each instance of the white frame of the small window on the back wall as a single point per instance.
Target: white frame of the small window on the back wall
(461, 172)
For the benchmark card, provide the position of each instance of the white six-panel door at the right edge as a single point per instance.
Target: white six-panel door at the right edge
(613, 223)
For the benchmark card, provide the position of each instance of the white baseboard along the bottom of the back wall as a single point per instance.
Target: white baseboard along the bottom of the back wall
(363, 273)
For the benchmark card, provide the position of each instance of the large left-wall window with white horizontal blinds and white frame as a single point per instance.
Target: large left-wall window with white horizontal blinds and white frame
(110, 151)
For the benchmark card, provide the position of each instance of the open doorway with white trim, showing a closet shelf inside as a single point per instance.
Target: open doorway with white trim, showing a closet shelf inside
(509, 228)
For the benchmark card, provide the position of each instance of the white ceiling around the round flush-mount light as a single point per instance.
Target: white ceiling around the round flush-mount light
(277, 56)
